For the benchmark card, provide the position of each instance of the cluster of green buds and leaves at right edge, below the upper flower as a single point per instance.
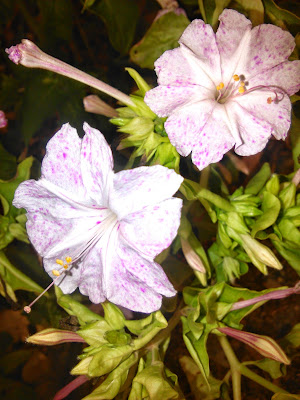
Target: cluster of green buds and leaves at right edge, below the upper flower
(266, 209)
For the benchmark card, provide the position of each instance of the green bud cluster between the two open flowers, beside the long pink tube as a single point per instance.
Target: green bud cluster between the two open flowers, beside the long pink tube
(145, 130)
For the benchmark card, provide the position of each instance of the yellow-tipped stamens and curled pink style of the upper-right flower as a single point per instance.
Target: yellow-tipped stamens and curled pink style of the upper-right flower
(238, 87)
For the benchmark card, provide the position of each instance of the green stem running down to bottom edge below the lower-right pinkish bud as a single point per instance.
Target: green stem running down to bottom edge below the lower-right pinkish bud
(234, 367)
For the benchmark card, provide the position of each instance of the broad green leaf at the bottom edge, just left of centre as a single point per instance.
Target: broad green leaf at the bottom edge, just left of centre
(153, 378)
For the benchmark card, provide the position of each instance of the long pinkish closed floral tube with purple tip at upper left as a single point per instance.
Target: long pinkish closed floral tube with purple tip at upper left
(29, 55)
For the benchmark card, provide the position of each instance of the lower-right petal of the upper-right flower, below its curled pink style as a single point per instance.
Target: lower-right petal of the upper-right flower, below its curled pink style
(254, 132)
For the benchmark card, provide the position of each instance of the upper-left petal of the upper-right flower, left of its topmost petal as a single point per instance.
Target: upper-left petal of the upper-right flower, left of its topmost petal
(200, 40)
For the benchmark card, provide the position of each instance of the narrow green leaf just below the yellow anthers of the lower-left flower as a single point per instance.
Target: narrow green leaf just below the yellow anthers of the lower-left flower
(73, 307)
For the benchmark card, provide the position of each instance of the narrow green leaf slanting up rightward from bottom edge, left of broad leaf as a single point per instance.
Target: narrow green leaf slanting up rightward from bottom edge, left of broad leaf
(113, 383)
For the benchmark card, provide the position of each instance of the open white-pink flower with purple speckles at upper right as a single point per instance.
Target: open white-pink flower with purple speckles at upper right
(226, 89)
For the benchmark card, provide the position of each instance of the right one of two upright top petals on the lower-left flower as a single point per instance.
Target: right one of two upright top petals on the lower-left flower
(96, 164)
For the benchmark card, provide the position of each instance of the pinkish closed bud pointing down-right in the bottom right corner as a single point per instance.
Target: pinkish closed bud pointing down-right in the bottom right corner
(263, 344)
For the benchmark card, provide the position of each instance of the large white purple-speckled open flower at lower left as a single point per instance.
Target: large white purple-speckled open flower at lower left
(99, 230)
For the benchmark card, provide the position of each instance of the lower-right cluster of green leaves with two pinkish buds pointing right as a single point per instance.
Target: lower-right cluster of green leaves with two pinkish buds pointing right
(219, 310)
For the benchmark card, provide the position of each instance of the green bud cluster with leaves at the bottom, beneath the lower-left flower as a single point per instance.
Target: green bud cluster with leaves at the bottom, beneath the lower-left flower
(127, 355)
